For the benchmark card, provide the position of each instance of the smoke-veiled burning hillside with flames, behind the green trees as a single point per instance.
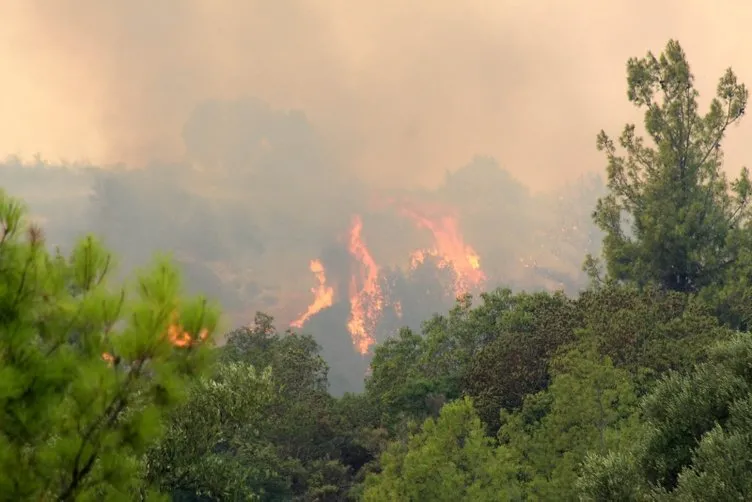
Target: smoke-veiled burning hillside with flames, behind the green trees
(325, 254)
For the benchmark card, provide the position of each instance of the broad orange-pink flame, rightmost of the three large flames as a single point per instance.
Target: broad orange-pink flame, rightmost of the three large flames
(450, 249)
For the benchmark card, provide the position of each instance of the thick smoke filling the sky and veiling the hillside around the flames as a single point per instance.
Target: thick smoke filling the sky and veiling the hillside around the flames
(250, 132)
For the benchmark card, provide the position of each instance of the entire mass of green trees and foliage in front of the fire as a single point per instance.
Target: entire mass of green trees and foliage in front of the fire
(638, 388)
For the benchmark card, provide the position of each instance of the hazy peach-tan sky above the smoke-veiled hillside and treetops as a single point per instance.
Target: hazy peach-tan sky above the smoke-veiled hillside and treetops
(404, 90)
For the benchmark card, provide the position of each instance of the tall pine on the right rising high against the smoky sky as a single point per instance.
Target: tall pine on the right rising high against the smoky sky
(686, 222)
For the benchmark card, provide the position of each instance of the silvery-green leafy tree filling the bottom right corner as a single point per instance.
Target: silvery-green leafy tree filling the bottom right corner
(695, 442)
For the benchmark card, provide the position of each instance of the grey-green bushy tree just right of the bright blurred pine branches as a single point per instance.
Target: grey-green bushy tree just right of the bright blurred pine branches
(214, 447)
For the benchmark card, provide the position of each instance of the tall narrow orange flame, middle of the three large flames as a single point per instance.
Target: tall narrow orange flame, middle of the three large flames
(366, 299)
